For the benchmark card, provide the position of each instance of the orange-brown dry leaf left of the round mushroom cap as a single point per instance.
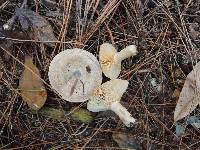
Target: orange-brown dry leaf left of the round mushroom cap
(31, 88)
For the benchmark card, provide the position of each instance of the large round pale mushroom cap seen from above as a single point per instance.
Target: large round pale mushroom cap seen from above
(74, 74)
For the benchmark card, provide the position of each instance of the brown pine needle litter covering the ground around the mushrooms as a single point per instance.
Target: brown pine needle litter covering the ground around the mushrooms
(167, 36)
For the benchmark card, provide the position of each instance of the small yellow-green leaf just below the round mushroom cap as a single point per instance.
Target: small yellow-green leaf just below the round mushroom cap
(82, 115)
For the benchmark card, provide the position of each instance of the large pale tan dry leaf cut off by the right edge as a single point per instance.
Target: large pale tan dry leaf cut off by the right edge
(190, 94)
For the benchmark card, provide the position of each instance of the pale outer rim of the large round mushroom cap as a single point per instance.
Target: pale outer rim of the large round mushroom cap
(56, 78)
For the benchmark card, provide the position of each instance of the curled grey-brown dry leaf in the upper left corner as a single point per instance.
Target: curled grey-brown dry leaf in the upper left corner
(42, 30)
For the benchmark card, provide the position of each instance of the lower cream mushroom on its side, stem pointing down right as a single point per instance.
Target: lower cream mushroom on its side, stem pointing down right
(107, 97)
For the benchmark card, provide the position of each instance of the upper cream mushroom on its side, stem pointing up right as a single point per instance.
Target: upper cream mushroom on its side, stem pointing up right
(110, 59)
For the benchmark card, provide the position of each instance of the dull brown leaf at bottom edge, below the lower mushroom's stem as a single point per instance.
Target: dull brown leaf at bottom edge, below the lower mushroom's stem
(126, 141)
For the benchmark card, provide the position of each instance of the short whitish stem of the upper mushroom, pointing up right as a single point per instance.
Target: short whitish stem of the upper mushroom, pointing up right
(125, 53)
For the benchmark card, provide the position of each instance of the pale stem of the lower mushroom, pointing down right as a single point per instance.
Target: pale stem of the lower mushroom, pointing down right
(123, 114)
